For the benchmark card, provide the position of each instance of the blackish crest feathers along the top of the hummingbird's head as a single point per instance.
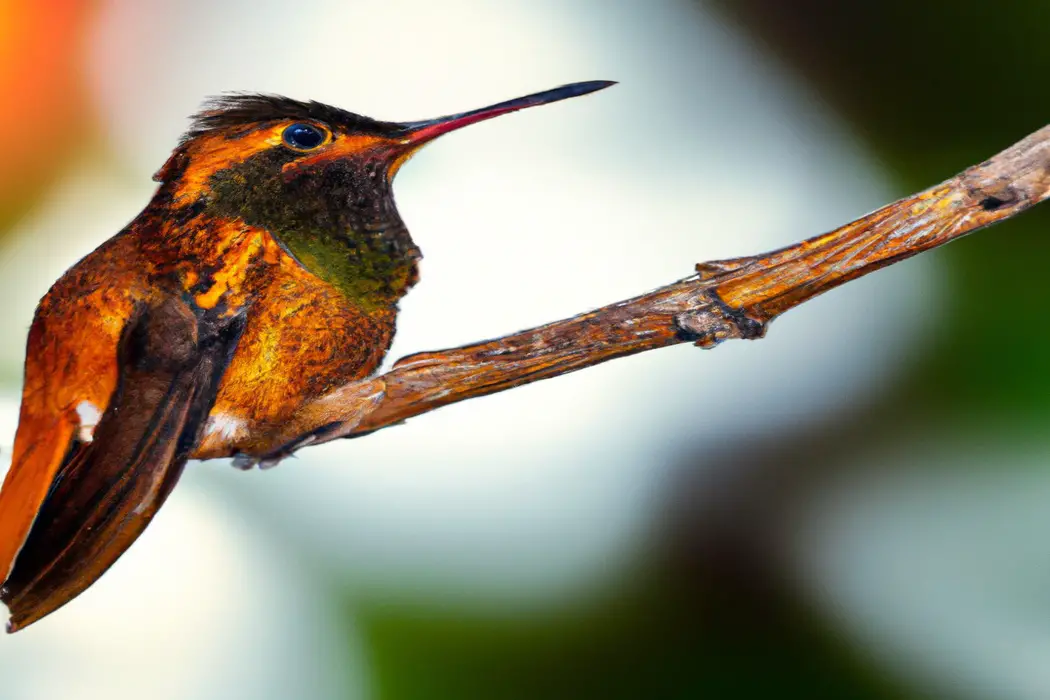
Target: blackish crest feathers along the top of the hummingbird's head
(239, 110)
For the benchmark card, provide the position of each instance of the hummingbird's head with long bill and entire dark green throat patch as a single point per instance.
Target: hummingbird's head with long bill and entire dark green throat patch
(316, 177)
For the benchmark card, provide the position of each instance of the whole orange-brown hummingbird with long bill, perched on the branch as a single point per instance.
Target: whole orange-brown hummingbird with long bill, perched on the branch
(264, 274)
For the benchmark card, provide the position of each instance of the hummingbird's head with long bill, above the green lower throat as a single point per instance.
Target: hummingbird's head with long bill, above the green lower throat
(285, 163)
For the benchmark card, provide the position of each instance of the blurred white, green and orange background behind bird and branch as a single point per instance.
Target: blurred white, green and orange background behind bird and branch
(847, 510)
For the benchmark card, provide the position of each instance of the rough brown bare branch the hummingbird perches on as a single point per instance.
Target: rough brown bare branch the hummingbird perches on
(725, 300)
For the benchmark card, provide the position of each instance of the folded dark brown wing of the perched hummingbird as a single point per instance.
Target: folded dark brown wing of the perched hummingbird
(106, 493)
